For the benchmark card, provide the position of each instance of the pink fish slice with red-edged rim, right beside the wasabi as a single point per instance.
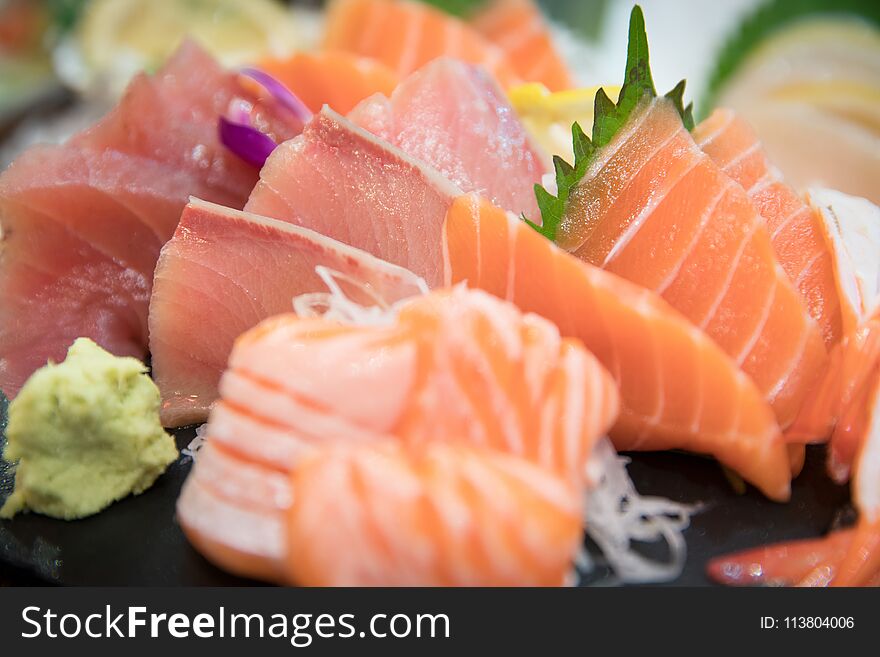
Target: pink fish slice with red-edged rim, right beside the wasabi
(223, 272)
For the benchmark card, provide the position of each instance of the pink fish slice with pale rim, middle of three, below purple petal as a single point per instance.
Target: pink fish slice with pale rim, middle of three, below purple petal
(348, 184)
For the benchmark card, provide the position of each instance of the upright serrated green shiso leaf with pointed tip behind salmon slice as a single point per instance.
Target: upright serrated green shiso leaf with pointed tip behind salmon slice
(609, 117)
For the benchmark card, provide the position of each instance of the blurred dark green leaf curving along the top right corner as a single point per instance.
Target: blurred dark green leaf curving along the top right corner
(768, 19)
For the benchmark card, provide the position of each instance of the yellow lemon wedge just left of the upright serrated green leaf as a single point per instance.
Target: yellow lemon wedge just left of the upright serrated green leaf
(548, 116)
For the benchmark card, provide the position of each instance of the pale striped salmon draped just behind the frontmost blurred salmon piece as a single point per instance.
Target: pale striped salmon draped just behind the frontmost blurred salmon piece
(456, 364)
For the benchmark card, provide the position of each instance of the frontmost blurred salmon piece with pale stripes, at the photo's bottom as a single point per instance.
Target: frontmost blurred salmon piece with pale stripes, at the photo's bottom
(442, 514)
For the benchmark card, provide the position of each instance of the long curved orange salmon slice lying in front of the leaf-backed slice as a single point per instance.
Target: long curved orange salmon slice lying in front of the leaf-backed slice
(678, 389)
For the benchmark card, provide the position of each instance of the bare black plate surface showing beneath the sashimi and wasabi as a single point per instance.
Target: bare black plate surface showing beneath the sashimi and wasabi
(138, 542)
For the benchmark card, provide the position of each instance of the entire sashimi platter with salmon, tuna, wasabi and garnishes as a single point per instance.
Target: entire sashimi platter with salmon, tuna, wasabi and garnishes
(417, 302)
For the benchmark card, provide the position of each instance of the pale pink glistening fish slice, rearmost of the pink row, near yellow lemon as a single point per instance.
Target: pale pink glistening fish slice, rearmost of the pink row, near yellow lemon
(453, 116)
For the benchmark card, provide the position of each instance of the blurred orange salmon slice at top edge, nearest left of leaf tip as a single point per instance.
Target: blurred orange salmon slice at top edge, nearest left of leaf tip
(518, 27)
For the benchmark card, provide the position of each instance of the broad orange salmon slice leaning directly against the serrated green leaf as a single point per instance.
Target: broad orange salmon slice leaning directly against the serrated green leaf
(656, 210)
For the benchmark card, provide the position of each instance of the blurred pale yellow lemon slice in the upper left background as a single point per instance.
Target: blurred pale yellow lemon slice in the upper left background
(117, 38)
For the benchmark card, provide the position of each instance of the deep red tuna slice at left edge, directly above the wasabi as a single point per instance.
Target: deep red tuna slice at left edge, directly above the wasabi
(46, 303)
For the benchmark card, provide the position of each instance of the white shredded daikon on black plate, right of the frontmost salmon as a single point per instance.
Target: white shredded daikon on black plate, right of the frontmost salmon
(616, 515)
